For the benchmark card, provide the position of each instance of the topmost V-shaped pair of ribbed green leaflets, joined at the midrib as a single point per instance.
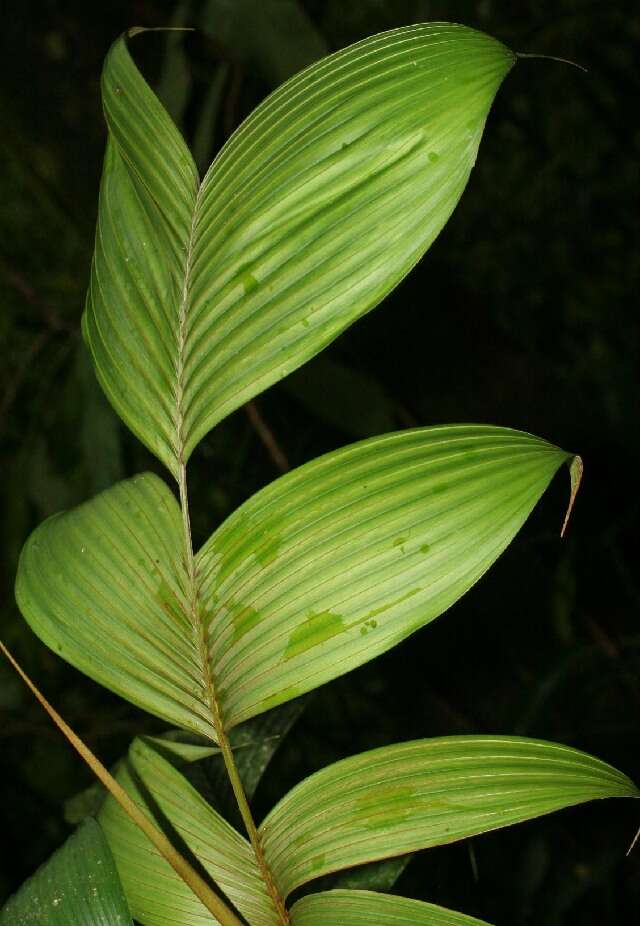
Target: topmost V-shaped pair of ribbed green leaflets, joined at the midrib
(202, 295)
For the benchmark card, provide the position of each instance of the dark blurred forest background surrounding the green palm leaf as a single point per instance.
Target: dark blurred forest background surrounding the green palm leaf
(523, 313)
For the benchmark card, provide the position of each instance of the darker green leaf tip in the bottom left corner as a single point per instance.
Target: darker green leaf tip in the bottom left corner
(79, 884)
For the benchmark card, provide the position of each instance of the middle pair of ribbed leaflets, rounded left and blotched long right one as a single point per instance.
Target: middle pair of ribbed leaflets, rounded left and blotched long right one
(316, 574)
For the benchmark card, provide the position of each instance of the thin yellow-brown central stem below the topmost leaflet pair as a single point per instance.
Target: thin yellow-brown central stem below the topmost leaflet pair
(223, 740)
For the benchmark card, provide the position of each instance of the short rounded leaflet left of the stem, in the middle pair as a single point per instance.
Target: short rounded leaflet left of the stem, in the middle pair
(104, 586)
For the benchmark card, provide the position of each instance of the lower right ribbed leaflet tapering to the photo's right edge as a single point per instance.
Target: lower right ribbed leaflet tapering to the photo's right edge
(425, 793)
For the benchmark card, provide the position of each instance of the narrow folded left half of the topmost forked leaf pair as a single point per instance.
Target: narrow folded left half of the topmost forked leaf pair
(134, 315)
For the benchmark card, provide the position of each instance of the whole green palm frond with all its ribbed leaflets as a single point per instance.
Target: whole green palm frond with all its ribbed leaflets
(202, 294)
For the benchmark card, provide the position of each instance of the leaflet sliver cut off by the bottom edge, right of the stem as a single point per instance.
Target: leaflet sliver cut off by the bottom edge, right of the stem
(365, 908)
